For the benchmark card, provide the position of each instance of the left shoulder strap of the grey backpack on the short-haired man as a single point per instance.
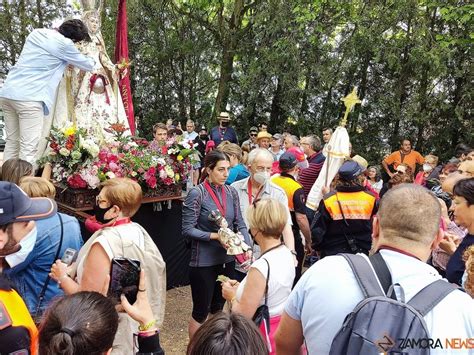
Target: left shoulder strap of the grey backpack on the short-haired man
(364, 275)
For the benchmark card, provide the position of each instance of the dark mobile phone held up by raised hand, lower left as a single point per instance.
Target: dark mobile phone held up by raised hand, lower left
(124, 278)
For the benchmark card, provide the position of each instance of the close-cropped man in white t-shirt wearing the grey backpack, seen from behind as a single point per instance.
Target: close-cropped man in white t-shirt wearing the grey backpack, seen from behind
(405, 232)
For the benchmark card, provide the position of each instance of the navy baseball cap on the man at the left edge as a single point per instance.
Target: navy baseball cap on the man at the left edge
(17, 206)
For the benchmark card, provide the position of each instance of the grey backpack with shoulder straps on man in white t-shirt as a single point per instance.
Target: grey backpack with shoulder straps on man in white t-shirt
(379, 322)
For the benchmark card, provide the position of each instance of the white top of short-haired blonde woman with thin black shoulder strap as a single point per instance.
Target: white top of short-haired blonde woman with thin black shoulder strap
(282, 274)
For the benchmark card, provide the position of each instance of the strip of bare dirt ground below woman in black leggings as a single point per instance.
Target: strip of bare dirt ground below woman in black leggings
(174, 333)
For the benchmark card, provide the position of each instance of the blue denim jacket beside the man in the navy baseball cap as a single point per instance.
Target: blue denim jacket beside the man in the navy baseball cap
(29, 276)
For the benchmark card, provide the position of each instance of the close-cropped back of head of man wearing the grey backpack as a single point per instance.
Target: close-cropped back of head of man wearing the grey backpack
(409, 215)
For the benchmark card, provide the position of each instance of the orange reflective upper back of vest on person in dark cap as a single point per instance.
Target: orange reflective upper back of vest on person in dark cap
(355, 205)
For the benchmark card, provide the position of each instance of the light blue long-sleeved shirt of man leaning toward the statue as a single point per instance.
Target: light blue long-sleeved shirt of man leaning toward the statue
(40, 67)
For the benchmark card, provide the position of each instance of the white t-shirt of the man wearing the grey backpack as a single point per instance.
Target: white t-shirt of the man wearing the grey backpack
(328, 291)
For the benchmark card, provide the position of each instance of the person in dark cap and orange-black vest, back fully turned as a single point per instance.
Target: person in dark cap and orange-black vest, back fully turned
(343, 221)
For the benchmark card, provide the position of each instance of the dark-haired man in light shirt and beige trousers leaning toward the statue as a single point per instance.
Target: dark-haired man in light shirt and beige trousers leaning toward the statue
(29, 90)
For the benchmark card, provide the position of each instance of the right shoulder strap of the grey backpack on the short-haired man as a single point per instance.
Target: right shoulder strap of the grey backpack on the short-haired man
(425, 300)
